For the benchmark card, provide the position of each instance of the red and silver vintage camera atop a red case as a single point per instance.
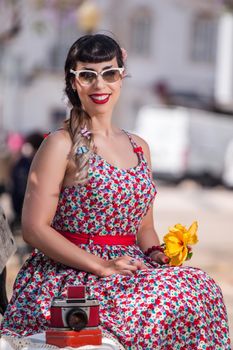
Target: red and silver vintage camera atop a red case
(76, 312)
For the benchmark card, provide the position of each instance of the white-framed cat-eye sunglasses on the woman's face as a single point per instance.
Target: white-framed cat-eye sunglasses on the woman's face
(88, 77)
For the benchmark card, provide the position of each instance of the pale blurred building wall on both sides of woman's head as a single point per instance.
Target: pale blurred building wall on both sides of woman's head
(169, 60)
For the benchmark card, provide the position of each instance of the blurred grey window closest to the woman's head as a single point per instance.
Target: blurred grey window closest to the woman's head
(140, 28)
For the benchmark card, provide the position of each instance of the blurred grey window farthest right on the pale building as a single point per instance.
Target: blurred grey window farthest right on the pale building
(203, 40)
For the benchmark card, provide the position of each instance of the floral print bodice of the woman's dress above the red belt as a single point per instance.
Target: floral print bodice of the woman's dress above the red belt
(113, 201)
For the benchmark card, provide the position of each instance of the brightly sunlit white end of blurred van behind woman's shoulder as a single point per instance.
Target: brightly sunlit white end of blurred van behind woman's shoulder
(166, 131)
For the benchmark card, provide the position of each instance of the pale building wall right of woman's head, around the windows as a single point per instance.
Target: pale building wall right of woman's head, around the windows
(170, 56)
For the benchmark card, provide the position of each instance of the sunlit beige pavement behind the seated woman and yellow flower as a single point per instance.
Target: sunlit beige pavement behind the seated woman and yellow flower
(213, 209)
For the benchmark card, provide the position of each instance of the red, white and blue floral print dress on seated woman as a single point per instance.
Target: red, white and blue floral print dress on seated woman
(162, 308)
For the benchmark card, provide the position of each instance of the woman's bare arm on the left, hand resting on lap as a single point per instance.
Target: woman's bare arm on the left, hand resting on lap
(41, 198)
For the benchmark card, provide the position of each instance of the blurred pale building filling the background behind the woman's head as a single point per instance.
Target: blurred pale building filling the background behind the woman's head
(175, 55)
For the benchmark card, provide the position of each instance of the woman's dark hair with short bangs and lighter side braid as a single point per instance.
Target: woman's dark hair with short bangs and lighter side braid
(89, 49)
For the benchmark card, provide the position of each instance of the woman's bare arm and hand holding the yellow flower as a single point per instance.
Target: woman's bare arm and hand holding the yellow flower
(147, 236)
